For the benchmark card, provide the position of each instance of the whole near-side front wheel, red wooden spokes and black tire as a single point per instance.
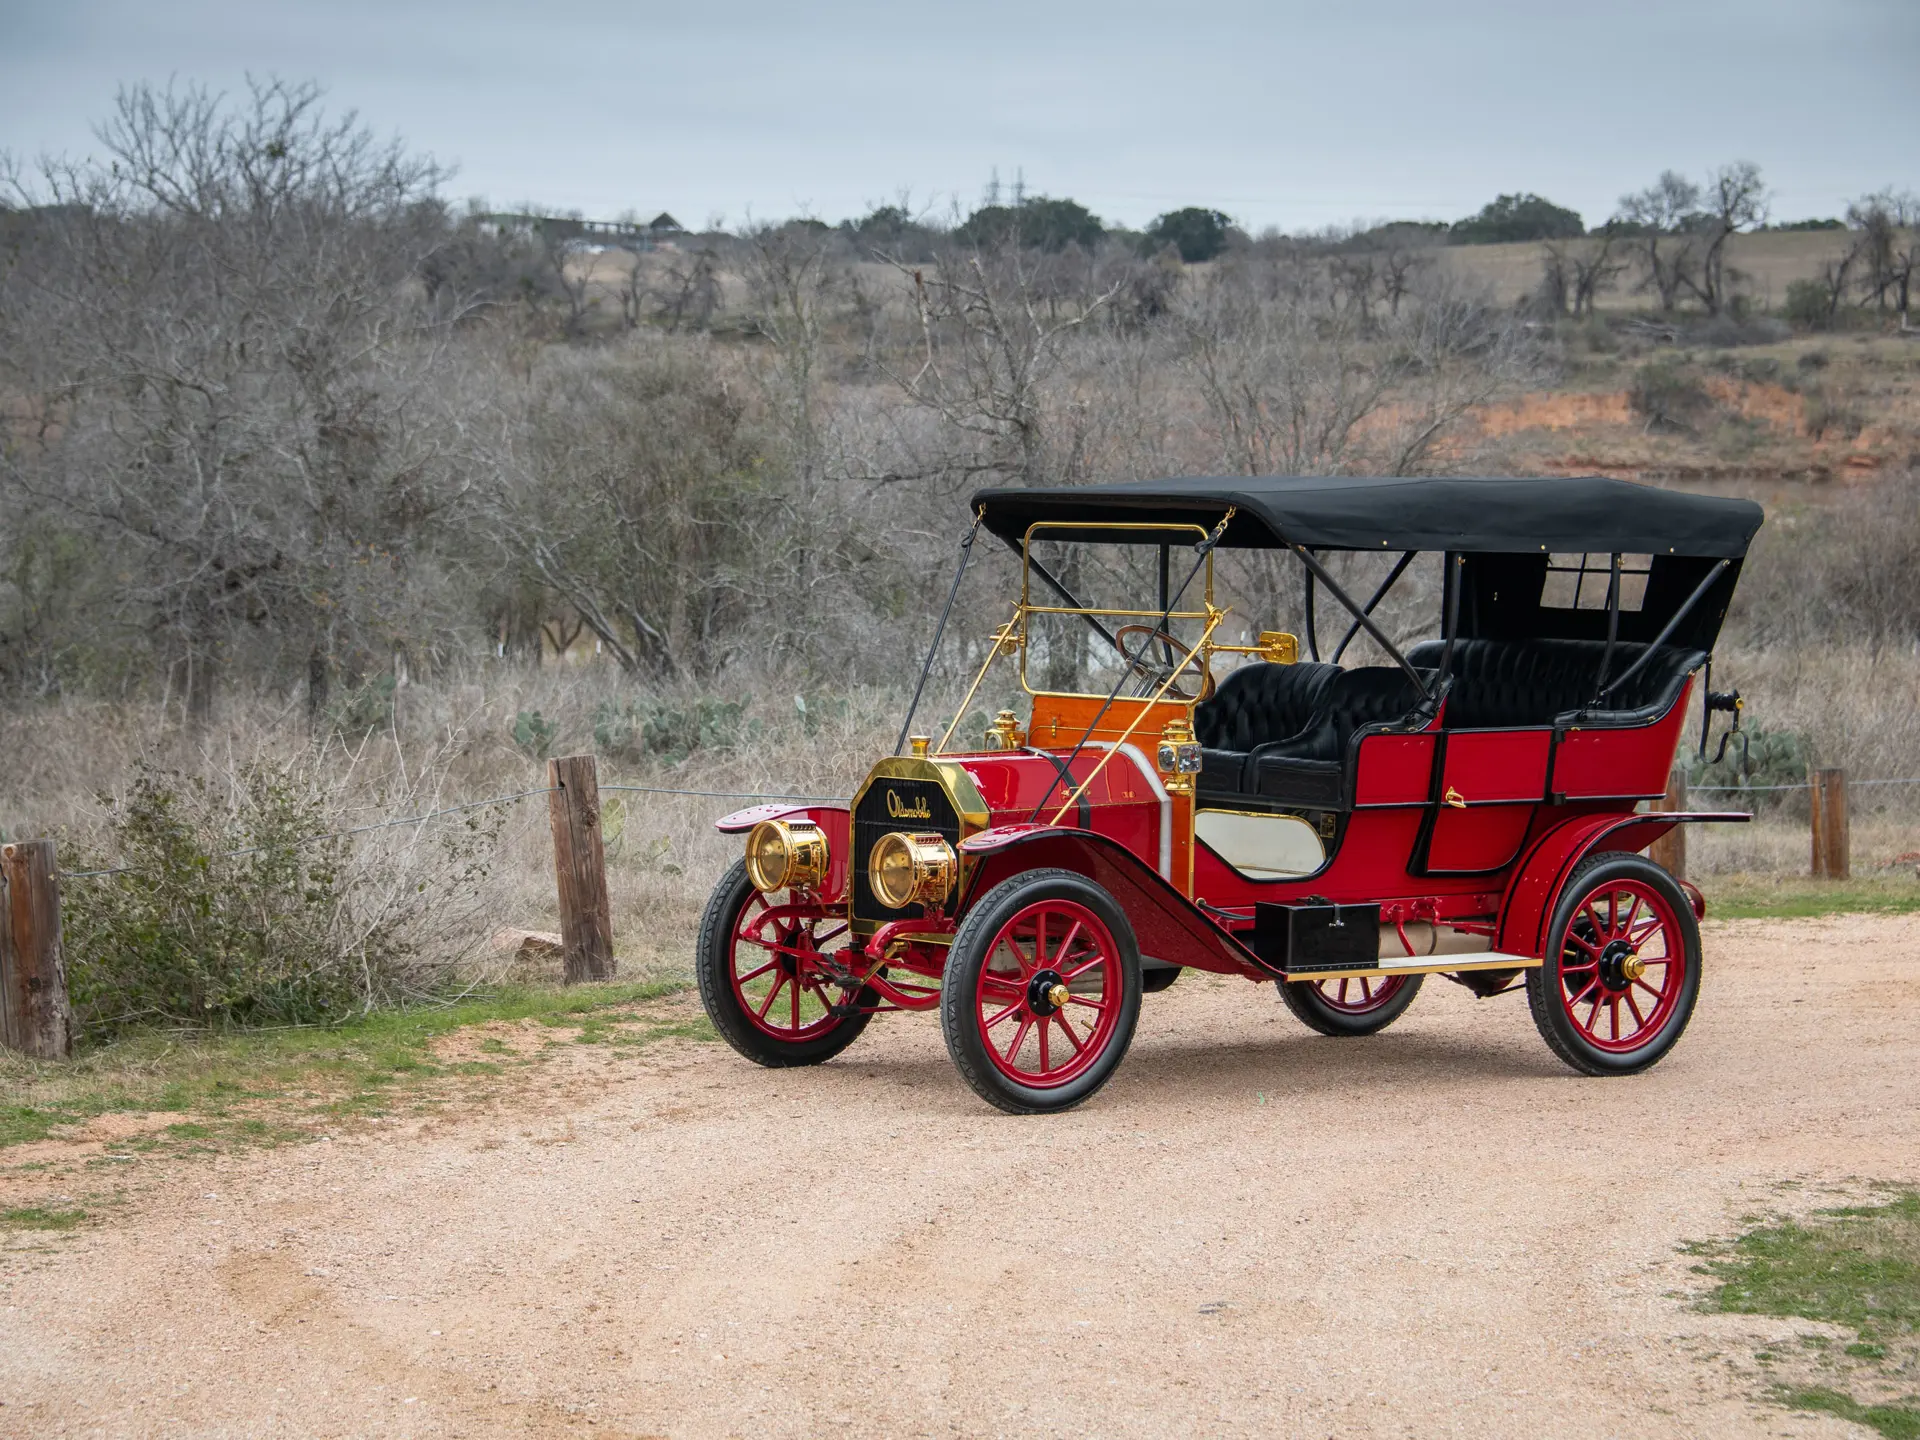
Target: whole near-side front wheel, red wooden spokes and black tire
(1042, 992)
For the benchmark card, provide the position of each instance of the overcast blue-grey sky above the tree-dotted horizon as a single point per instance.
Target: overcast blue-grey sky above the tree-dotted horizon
(1282, 114)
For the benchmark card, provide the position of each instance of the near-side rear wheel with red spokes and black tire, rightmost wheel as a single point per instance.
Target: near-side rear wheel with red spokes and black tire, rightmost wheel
(1621, 971)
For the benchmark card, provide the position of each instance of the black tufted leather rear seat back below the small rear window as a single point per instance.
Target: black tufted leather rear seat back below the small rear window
(1500, 684)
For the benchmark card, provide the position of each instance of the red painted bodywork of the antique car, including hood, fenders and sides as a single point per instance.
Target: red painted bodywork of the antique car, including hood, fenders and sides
(1474, 827)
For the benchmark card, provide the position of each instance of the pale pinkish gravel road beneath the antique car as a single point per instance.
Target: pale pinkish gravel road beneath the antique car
(1251, 1232)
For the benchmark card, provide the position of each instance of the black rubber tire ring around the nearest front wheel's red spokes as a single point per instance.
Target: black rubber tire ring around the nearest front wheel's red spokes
(961, 984)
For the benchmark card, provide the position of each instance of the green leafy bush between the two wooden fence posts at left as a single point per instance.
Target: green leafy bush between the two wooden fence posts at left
(243, 905)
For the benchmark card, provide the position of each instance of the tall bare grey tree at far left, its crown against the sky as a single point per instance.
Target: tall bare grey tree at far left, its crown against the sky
(218, 306)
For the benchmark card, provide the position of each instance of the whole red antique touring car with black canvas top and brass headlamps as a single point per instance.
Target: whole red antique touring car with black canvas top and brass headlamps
(1470, 807)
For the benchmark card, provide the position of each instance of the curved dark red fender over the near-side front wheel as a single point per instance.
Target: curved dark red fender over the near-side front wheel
(1166, 923)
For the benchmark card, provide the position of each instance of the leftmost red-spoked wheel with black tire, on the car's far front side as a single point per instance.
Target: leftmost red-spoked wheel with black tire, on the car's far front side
(765, 967)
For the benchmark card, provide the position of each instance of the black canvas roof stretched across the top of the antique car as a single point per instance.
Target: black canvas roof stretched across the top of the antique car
(1397, 514)
